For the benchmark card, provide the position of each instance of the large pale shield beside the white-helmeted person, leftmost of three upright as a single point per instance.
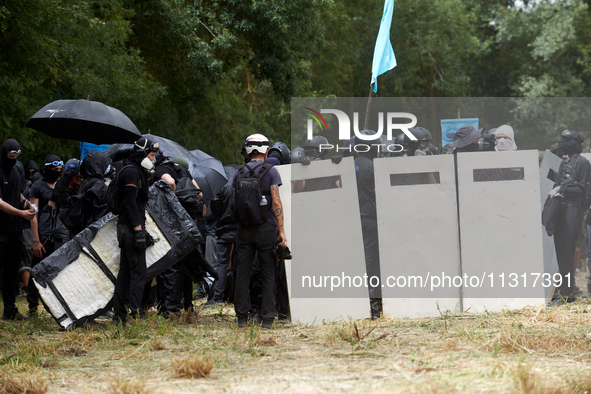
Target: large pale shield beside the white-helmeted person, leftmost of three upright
(327, 269)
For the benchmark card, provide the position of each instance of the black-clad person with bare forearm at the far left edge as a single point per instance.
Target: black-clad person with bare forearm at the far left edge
(12, 209)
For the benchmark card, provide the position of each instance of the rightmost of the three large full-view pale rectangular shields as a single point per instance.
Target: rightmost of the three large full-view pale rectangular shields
(500, 230)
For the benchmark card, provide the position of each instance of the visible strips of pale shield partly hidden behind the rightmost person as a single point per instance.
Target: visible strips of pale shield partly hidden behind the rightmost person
(548, 172)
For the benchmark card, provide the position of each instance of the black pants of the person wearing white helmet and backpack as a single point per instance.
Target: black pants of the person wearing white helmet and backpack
(256, 239)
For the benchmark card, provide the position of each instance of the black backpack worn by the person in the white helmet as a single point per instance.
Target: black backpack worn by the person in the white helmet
(248, 210)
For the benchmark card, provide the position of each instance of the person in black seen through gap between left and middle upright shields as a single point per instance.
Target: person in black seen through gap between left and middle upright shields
(369, 222)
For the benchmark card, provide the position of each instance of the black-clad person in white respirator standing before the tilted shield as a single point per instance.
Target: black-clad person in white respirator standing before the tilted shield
(132, 186)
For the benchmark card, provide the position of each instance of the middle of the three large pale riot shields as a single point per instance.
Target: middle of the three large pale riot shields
(418, 234)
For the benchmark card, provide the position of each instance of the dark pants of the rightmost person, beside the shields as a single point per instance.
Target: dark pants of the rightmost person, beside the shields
(565, 239)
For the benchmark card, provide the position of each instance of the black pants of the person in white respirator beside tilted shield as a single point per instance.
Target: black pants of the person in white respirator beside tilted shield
(132, 276)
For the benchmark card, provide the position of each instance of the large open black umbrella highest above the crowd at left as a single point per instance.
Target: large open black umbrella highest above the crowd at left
(84, 120)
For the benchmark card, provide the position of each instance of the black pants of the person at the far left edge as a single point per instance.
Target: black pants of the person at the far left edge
(10, 255)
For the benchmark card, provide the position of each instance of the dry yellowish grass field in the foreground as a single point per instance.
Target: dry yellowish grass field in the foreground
(532, 350)
